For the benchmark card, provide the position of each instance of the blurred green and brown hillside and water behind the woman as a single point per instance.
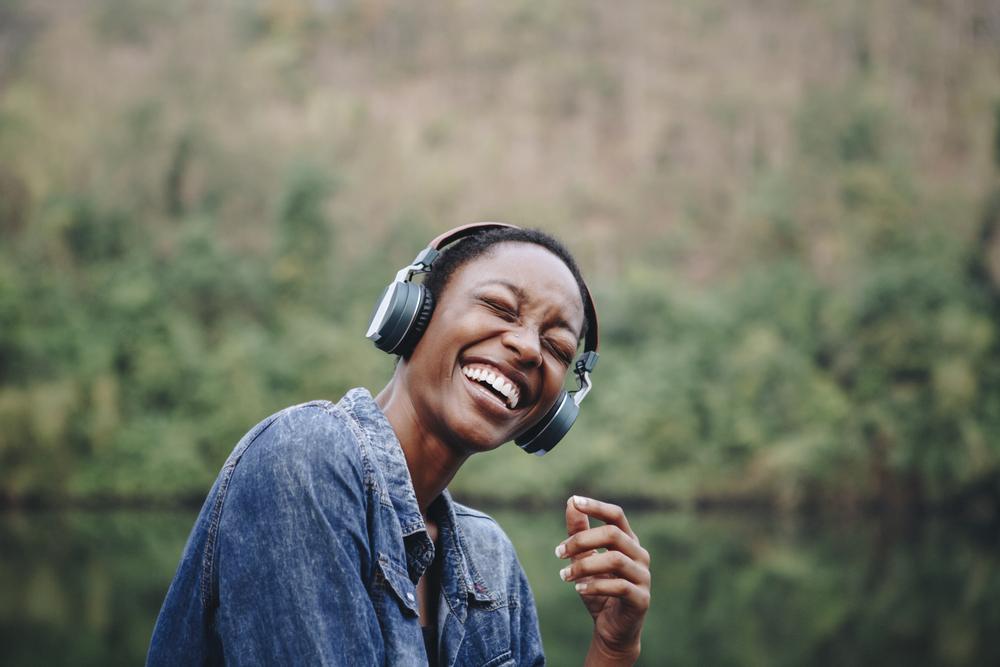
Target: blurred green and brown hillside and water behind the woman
(788, 211)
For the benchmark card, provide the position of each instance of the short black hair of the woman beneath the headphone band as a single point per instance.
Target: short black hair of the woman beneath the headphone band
(471, 247)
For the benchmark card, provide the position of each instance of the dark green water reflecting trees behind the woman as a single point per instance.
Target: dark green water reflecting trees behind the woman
(84, 588)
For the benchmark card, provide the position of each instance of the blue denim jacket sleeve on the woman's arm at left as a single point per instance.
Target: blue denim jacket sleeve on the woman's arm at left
(292, 554)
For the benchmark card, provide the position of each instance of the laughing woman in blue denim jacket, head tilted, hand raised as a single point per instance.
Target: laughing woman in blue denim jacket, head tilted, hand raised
(330, 537)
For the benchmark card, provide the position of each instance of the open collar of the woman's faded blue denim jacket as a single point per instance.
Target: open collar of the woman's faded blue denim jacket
(387, 456)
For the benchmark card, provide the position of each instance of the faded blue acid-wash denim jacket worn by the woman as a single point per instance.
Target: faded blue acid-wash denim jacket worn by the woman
(308, 547)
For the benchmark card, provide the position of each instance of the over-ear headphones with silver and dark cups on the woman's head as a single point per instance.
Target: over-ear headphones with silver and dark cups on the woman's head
(404, 309)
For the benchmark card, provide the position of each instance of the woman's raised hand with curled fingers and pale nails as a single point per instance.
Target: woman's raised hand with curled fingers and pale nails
(614, 585)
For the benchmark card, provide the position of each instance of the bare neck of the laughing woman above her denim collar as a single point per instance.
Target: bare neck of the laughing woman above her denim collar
(431, 461)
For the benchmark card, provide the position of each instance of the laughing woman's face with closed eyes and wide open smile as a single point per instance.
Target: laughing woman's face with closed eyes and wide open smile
(495, 354)
